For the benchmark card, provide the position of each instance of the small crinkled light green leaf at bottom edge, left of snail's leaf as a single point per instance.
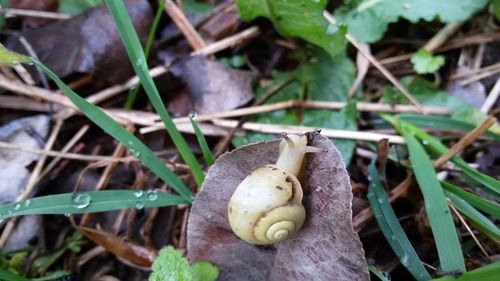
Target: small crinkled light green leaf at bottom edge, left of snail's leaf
(170, 266)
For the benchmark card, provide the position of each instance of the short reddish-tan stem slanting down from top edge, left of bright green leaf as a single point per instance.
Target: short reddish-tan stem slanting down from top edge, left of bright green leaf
(184, 25)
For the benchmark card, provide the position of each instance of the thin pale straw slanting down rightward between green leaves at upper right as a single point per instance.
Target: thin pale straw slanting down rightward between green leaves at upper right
(377, 64)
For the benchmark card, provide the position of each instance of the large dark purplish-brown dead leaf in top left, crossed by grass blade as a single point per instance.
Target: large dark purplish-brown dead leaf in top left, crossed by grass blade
(88, 43)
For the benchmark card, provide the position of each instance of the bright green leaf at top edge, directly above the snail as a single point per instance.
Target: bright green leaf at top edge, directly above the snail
(301, 19)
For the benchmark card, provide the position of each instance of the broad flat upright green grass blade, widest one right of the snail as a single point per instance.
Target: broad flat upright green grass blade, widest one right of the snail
(436, 206)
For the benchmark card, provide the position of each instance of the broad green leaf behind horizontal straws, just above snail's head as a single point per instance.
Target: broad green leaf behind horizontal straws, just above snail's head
(325, 79)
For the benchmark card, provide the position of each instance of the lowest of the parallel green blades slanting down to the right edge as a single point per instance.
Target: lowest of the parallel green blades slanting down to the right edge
(478, 220)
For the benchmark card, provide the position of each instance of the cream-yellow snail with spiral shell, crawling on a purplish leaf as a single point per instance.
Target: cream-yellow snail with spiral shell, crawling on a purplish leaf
(266, 207)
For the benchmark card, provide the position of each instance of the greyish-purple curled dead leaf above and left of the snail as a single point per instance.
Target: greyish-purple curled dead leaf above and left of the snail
(214, 87)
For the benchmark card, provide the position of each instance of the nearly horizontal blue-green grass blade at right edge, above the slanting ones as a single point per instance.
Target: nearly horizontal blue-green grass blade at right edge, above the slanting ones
(442, 122)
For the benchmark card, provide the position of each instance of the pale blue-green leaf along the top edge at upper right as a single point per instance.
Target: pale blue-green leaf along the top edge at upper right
(367, 20)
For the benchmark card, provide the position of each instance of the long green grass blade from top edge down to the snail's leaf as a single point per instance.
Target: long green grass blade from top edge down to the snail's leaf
(136, 55)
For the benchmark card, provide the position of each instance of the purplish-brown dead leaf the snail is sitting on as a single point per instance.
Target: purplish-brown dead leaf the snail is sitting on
(326, 248)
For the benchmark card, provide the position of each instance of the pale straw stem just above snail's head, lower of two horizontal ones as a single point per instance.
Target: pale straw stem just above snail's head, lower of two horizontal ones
(341, 134)
